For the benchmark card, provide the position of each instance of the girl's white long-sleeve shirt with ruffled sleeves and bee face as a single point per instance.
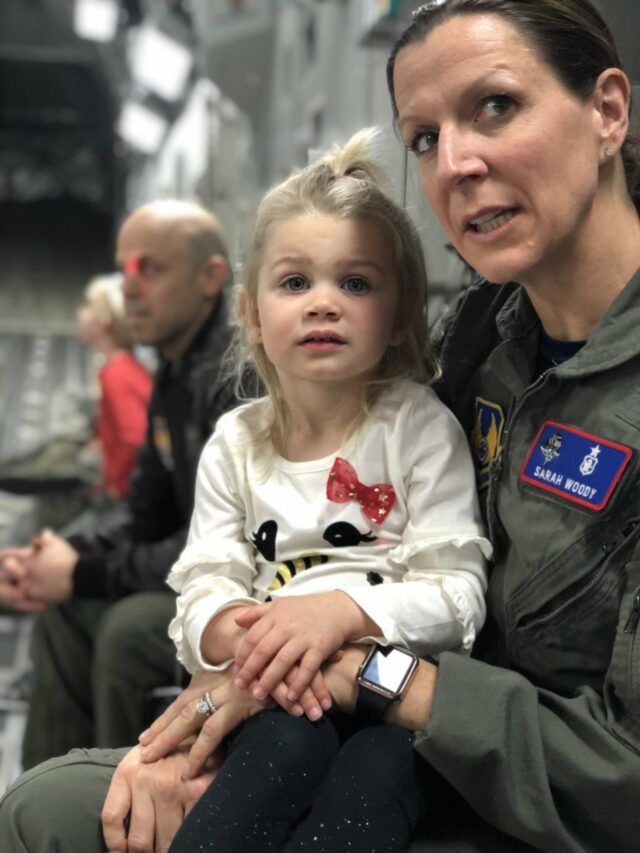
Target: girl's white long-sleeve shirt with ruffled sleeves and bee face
(264, 526)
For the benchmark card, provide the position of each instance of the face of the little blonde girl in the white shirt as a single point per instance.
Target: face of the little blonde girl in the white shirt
(325, 307)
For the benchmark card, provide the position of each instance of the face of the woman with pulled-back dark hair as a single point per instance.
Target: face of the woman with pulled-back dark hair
(508, 157)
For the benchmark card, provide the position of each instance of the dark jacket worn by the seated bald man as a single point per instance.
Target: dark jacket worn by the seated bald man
(135, 545)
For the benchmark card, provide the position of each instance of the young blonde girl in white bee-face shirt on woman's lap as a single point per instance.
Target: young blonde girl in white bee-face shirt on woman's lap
(345, 500)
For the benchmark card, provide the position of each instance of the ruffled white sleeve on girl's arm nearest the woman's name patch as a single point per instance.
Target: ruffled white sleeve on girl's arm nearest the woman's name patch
(441, 560)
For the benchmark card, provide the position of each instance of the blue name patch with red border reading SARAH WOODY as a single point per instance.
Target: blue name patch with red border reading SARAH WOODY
(577, 466)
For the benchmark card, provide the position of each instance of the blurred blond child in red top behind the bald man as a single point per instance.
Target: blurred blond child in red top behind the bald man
(125, 384)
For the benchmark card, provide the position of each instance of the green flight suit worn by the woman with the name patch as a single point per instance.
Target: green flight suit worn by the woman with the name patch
(540, 732)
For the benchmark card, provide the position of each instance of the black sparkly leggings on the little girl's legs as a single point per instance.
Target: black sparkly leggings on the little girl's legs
(292, 785)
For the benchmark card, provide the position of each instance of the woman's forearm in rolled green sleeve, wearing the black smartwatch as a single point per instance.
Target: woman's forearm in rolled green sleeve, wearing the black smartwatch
(542, 768)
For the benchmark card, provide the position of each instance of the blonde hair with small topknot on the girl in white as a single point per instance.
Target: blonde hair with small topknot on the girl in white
(344, 184)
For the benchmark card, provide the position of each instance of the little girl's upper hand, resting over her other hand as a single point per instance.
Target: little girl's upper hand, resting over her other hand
(301, 630)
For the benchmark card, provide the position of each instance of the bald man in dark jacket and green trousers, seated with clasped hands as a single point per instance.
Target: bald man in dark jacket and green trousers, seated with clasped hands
(100, 642)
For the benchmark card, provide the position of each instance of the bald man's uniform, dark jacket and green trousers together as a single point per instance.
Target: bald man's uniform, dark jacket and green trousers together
(97, 655)
